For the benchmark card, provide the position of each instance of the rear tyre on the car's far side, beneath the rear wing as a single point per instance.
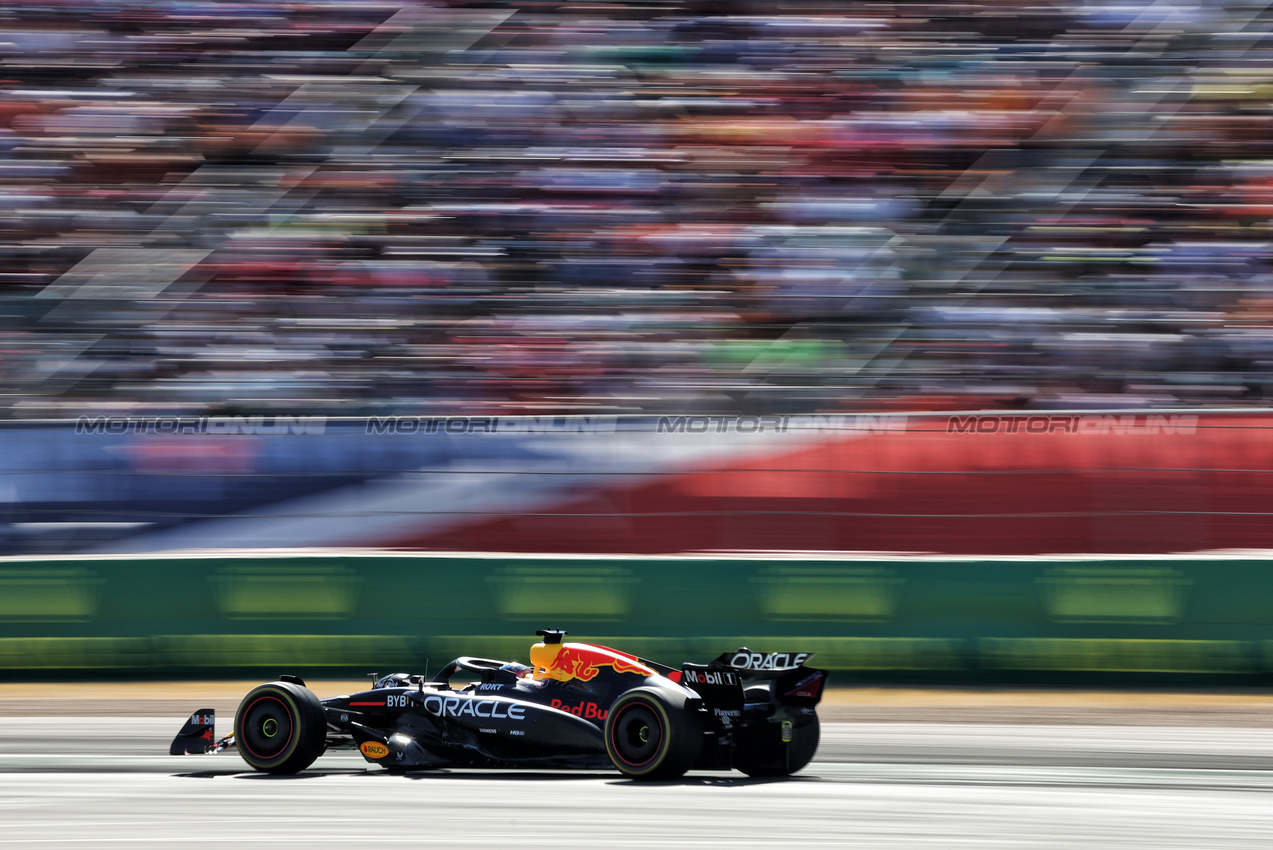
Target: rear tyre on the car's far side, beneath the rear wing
(777, 740)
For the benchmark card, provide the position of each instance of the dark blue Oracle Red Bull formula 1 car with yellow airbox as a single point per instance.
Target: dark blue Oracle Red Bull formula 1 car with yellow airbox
(576, 706)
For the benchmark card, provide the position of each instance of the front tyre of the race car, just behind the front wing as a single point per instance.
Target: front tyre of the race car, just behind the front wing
(281, 728)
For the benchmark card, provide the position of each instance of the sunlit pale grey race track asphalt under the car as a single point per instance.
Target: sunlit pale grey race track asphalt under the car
(96, 781)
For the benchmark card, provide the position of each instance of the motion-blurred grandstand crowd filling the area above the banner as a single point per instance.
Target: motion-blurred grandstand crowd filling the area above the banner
(775, 207)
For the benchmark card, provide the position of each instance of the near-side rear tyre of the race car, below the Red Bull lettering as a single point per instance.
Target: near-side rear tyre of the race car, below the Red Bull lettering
(654, 735)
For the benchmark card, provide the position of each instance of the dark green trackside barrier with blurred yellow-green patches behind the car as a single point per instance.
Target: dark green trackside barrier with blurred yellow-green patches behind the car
(906, 618)
